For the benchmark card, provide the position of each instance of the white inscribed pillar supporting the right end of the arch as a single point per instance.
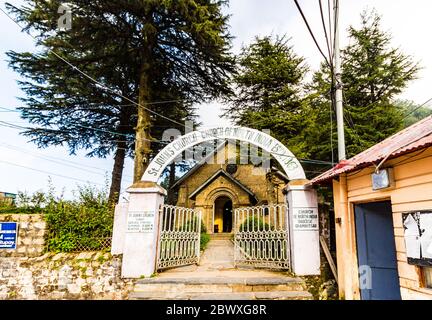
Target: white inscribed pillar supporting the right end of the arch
(304, 233)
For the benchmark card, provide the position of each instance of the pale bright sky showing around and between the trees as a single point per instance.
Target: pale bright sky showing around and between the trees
(409, 22)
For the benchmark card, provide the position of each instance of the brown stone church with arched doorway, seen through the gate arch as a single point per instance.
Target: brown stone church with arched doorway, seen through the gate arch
(218, 184)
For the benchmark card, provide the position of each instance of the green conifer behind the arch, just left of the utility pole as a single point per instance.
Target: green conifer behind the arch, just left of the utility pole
(267, 89)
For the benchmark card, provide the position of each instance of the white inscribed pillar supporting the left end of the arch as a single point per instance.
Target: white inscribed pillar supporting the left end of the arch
(141, 231)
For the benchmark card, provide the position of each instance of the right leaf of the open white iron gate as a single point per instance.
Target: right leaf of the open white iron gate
(261, 237)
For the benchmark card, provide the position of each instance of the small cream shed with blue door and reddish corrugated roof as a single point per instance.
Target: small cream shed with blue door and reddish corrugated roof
(383, 217)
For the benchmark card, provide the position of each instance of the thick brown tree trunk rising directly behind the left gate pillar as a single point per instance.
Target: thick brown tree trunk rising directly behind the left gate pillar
(143, 138)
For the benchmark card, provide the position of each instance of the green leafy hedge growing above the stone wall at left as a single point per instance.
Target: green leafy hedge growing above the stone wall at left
(82, 224)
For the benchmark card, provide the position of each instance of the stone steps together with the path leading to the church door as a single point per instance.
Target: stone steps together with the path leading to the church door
(216, 278)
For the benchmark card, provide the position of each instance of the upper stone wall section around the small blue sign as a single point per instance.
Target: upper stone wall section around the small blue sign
(31, 233)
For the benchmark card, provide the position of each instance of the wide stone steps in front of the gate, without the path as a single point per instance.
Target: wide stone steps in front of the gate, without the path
(221, 288)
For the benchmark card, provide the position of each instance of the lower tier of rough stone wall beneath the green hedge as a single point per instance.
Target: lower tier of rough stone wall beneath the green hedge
(86, 275)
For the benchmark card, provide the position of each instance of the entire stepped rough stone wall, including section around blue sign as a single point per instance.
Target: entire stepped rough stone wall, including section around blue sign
(29, 273)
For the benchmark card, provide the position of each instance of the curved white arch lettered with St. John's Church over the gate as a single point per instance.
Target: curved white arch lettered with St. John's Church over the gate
(287, 160)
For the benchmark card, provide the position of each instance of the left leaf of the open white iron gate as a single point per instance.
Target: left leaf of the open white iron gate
(179, 237)
